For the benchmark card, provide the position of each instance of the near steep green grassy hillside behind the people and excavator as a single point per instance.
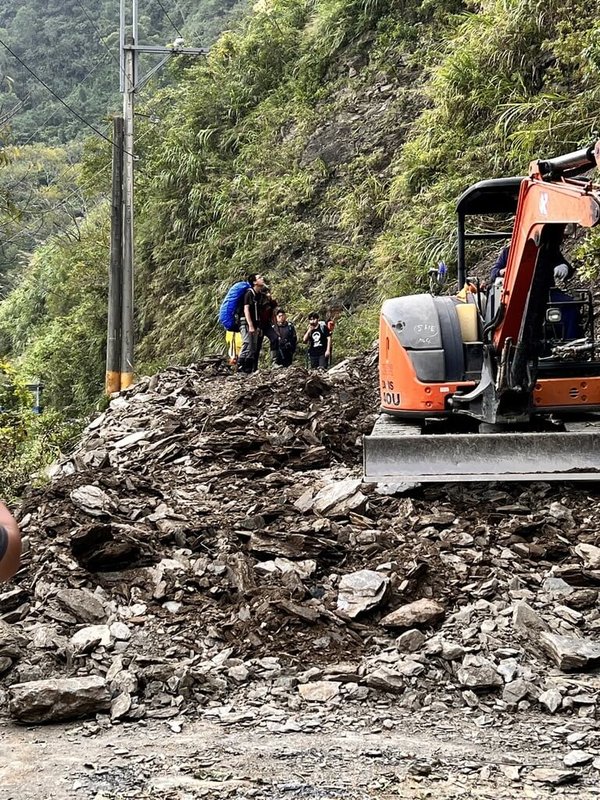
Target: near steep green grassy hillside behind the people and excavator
(323, 142)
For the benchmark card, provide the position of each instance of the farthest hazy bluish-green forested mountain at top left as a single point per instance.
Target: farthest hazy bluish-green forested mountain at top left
(73, 47)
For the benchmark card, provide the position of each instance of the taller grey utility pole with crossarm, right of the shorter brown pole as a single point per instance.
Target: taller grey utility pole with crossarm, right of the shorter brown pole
(130, 83)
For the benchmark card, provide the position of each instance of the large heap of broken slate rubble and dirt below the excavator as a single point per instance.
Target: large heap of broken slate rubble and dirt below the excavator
(210, 539)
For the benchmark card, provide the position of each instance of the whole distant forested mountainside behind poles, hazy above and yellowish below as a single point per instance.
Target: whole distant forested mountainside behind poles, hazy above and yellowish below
(73, 48)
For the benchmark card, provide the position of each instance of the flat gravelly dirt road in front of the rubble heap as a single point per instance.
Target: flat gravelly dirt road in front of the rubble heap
(447, 756)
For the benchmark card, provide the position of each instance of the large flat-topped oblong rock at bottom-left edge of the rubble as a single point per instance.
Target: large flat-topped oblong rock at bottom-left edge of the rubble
(58, 699)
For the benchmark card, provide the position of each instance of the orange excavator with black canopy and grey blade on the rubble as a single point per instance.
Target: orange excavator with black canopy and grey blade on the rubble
(498, 382)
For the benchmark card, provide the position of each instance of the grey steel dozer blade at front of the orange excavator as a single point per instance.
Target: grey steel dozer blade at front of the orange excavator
(398, 451)
